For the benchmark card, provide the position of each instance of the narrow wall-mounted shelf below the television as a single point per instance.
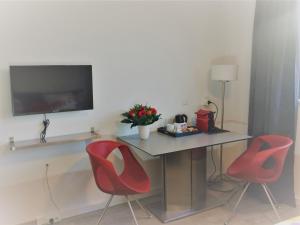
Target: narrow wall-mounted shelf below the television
(58, 140)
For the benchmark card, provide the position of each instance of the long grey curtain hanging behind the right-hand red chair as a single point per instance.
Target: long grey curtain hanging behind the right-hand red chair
(274, 83)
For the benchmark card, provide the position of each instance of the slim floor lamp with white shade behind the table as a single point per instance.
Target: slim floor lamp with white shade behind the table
(223, 74)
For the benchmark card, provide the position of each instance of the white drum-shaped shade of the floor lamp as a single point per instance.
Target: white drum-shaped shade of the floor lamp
(224, 72)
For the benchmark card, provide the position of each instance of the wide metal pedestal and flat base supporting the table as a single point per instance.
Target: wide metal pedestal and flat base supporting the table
(184, 186)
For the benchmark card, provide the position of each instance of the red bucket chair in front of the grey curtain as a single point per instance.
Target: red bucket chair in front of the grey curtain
(251, 165)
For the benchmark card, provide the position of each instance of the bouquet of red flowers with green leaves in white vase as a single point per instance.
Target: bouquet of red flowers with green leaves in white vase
(141, 115)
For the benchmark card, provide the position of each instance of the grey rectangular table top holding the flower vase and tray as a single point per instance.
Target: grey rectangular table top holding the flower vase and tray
(159, 144)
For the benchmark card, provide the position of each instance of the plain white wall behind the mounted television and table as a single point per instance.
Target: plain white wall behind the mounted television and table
(149, 52)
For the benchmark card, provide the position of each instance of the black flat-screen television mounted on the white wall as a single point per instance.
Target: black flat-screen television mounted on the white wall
(51, 88)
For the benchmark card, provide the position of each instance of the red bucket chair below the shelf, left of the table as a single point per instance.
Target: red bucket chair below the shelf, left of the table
(133, 179)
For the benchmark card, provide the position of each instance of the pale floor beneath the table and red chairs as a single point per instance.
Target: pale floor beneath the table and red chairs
(250, 212)
